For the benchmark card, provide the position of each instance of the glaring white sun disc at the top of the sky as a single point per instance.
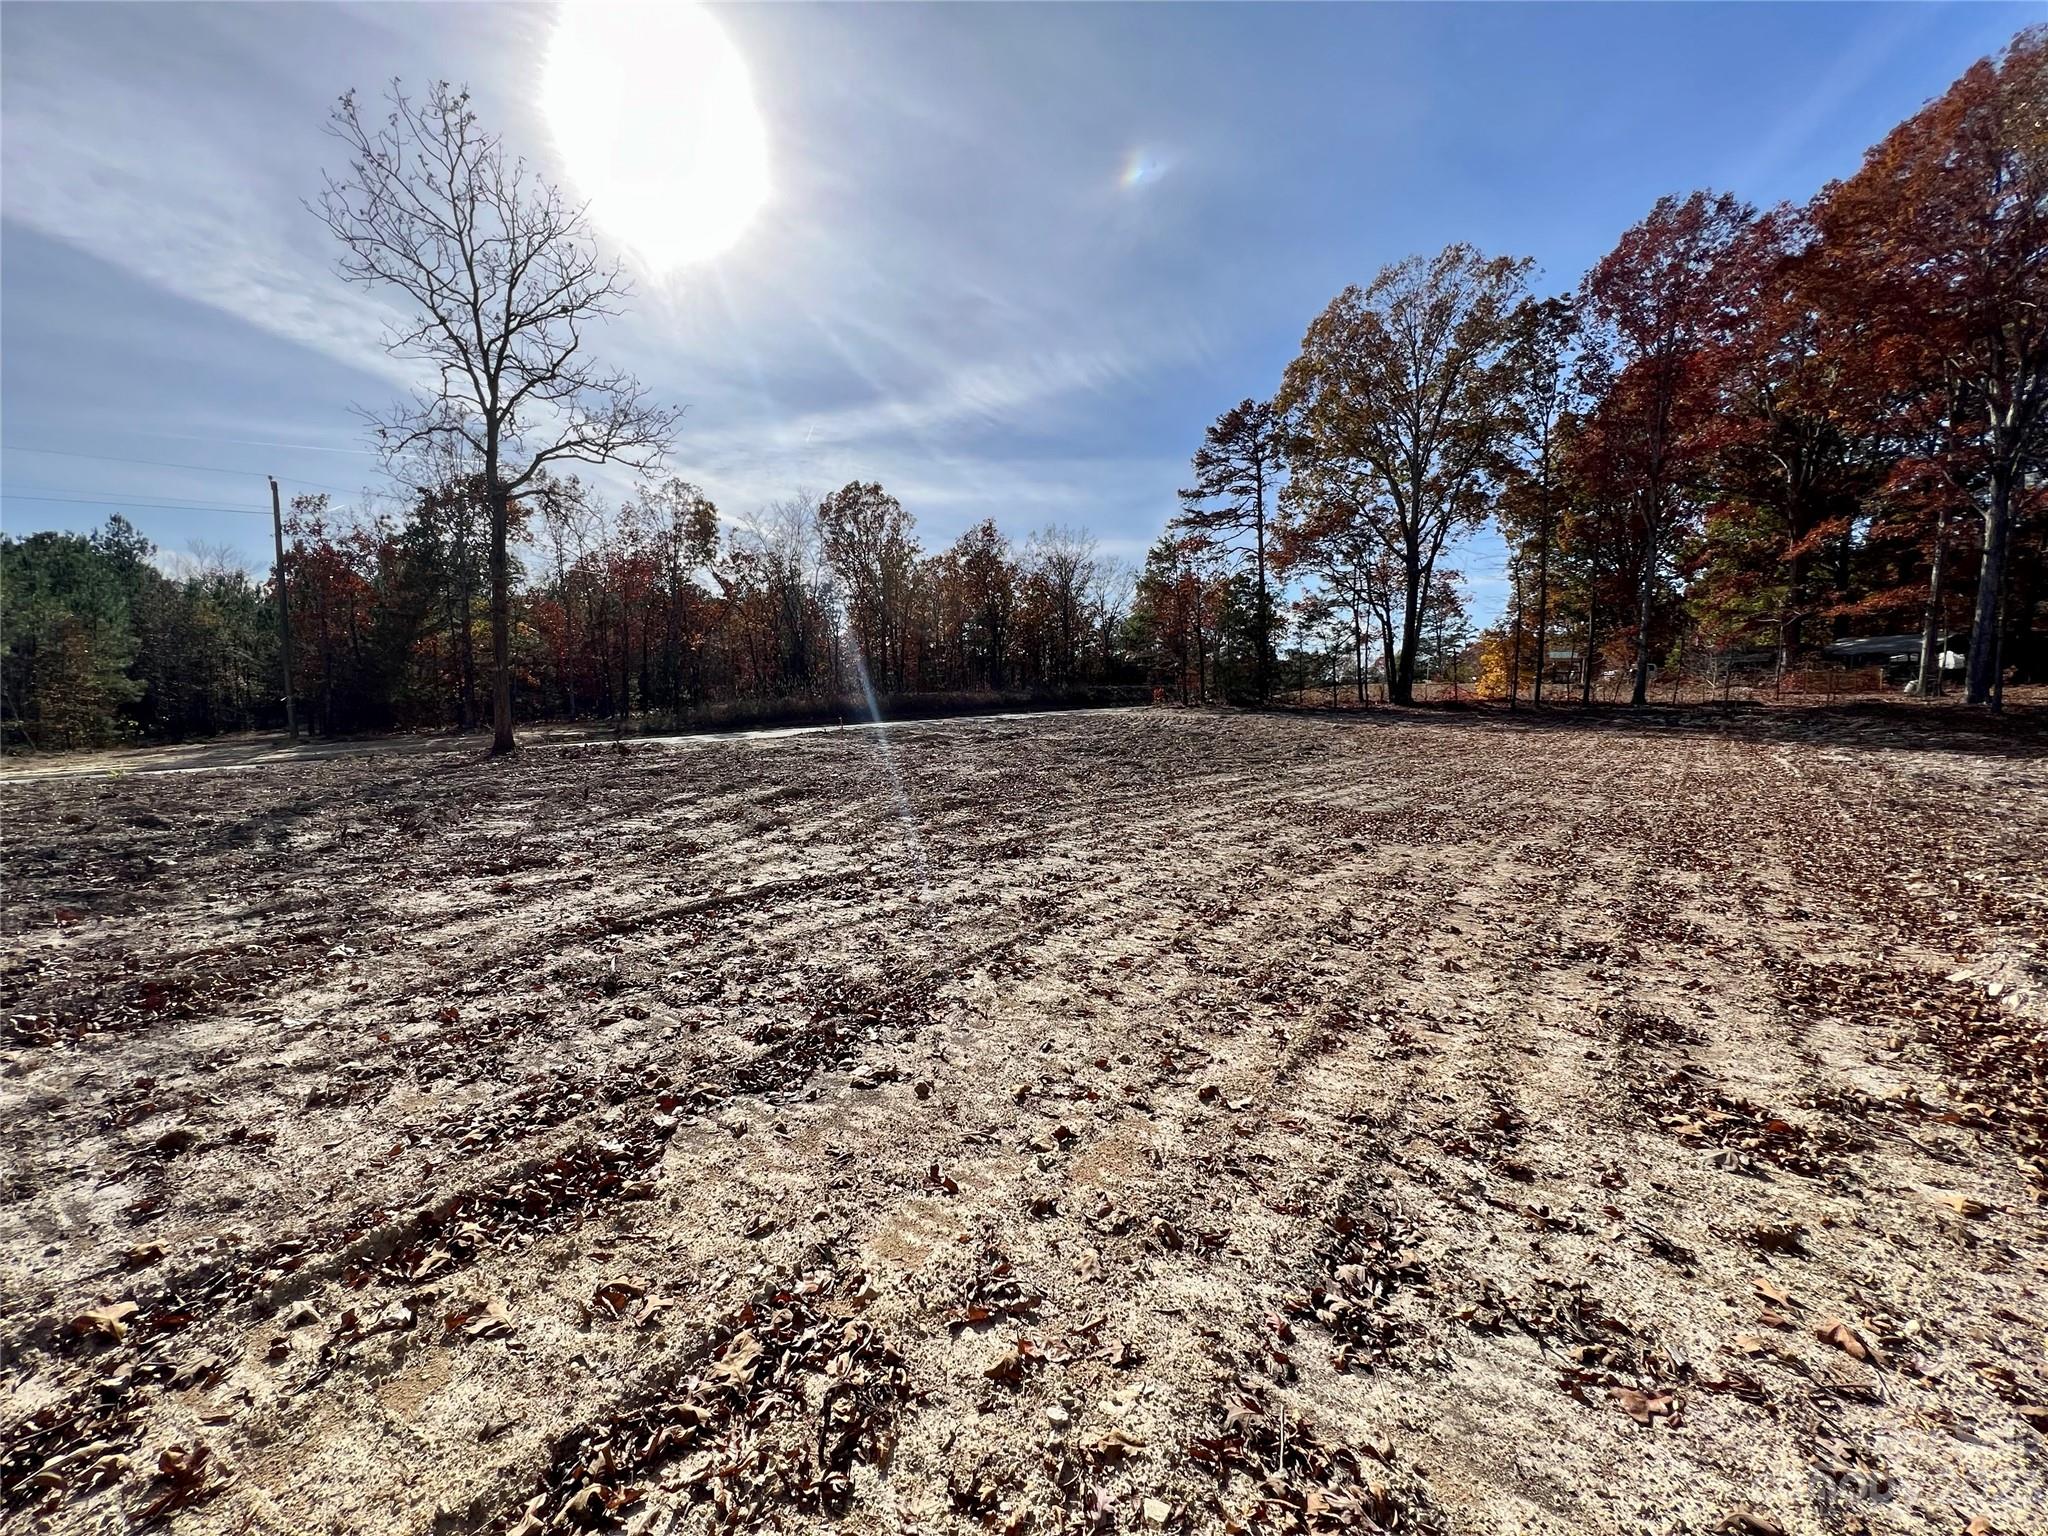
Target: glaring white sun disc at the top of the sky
(654, 116)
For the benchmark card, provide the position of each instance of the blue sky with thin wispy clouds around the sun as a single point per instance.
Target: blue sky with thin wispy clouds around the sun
(955, 288)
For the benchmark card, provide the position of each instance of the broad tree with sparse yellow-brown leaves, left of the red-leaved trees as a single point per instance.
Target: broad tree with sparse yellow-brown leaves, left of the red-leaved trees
(1400, 409)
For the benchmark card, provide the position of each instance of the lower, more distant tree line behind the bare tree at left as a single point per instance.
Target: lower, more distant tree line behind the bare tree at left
(644, 609)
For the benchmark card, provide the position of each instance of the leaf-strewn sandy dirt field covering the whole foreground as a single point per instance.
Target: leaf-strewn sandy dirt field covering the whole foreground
(1226, 1123)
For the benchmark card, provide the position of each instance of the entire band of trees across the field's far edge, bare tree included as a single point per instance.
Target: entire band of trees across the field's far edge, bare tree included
(1740, 437)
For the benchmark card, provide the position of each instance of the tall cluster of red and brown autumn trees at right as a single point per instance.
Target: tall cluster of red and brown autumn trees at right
(1744, 433)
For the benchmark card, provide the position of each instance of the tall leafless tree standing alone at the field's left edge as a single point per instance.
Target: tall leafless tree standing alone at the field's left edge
(503, 282)
